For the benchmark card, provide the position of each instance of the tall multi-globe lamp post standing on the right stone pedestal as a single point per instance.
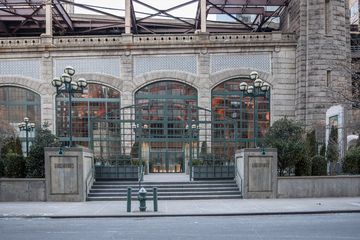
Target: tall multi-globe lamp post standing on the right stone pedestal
(254, 90)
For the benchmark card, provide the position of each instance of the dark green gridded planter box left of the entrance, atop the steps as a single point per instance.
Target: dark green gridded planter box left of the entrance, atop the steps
(117, 173)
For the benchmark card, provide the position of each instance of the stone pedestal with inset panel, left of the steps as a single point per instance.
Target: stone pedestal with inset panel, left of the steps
(68, 174)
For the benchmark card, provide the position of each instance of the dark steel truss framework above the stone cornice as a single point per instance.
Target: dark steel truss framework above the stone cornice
(28, 17)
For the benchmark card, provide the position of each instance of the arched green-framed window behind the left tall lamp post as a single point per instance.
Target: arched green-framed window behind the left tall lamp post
(97, 102)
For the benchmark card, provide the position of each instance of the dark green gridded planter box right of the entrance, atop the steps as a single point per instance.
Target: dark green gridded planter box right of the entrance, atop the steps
(213, 172)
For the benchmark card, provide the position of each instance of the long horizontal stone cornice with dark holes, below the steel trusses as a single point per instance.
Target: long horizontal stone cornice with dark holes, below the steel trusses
(133, 42)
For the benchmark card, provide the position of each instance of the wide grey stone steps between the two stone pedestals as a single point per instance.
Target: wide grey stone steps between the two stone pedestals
(117, 190)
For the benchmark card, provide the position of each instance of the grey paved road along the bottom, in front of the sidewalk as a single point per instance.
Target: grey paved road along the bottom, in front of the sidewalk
(318, 227)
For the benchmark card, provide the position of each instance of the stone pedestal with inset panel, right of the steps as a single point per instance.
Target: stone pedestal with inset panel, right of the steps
(256, 172)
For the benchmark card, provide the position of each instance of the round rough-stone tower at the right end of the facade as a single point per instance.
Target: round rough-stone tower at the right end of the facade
(322, 55)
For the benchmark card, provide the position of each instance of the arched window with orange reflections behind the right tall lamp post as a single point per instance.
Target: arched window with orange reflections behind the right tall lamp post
(251, 113)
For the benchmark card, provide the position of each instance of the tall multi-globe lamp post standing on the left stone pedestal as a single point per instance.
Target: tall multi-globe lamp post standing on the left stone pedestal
(66, 84)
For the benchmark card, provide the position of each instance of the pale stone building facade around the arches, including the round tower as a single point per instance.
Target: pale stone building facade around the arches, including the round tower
(305, 63)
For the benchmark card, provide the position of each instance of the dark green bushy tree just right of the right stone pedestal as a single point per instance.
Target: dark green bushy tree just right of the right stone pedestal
(287, 136)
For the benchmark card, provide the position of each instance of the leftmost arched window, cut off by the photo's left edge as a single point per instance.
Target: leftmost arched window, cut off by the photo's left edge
(16, 103)
